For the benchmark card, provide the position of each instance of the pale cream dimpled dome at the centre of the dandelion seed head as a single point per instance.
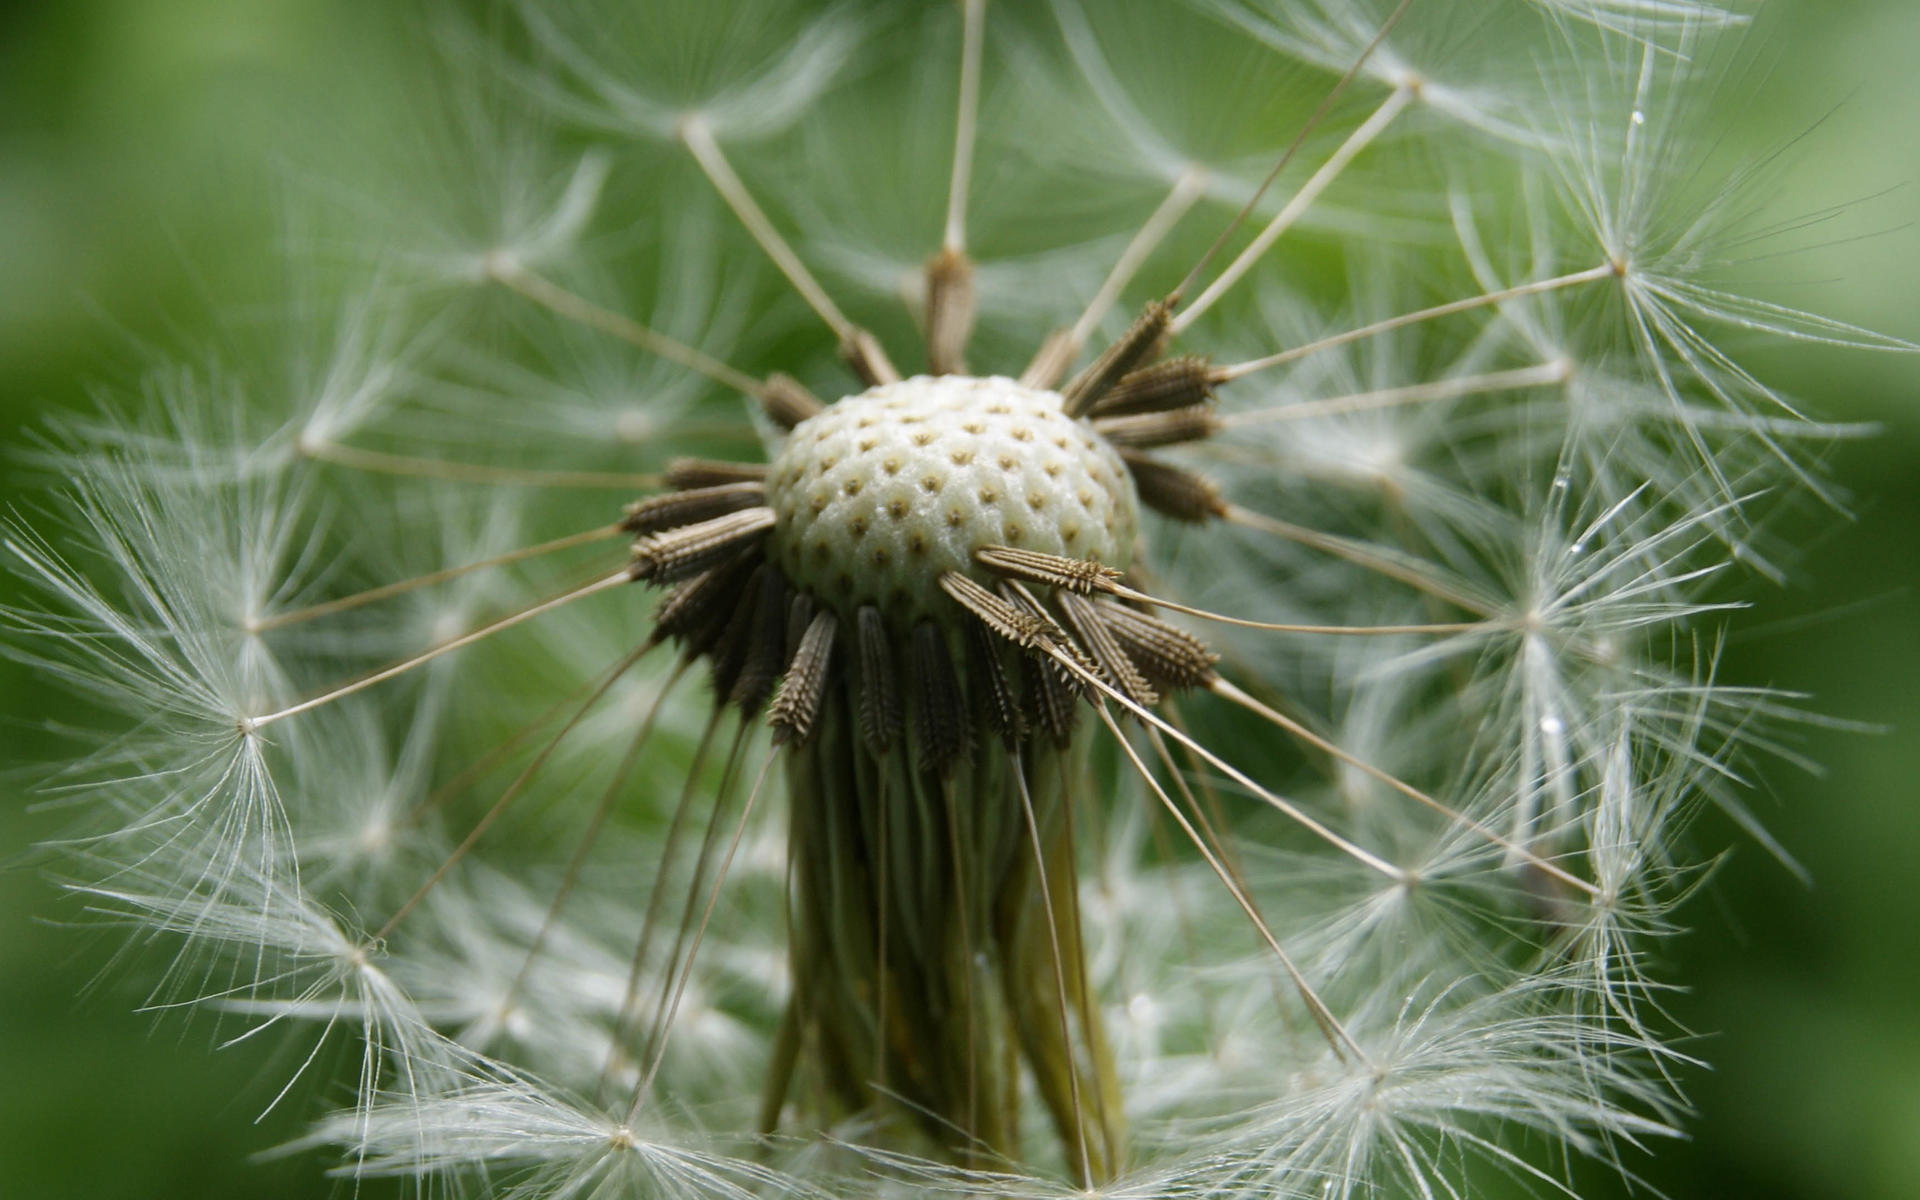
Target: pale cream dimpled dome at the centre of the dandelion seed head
(886, 491)
